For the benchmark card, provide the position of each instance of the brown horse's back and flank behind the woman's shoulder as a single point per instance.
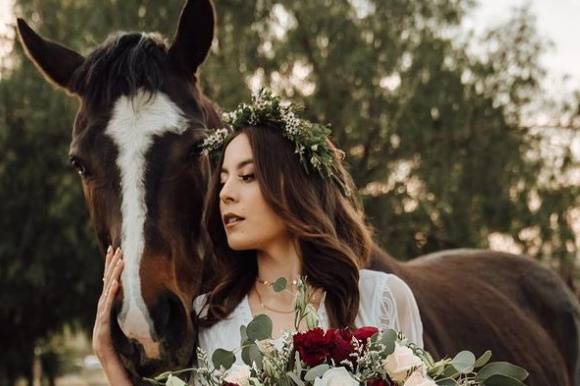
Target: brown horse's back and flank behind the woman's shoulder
(480, 300)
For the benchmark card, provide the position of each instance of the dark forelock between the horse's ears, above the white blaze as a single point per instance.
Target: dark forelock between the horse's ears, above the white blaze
(122, 64)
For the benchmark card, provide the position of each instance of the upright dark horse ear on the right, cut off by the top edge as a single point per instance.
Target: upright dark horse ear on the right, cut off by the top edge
(194, 36)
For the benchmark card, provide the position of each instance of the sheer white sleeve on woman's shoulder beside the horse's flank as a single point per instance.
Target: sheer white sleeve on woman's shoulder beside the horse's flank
(400, 311)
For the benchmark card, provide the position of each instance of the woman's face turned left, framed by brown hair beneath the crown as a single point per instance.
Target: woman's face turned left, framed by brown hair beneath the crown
(248, 221)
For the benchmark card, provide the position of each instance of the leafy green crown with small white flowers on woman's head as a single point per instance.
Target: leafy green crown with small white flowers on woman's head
(309, 139)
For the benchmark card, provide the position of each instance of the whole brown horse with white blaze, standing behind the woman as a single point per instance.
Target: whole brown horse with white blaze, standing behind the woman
(140, 119)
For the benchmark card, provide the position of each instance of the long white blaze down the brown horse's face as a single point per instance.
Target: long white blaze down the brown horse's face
(134, 124)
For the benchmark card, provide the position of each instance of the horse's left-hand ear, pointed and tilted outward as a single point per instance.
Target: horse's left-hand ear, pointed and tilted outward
(55, 61)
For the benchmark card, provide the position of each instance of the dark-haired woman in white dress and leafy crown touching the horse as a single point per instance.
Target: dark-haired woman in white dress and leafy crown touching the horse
(280, 205)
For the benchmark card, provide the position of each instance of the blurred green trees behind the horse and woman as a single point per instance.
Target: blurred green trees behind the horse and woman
(437, 138)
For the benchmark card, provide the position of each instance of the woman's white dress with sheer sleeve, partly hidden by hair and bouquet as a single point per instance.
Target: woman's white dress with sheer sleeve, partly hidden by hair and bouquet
(386, 301)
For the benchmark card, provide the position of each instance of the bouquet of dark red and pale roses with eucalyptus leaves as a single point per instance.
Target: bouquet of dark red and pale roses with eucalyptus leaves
(364, 356)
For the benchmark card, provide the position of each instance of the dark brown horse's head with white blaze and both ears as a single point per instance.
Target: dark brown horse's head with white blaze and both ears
(134, 144)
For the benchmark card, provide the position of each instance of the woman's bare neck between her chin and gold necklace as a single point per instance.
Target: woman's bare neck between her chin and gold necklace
(280, 259)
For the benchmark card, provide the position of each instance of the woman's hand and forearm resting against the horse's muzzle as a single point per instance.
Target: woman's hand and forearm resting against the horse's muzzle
(102, 341)
